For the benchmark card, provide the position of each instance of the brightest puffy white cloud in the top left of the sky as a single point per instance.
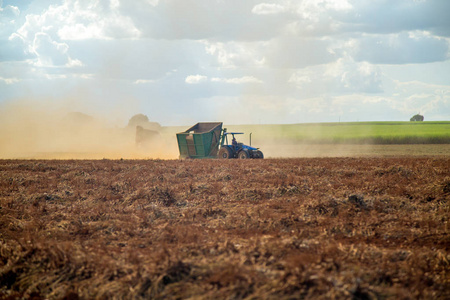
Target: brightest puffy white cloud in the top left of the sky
(45, 35)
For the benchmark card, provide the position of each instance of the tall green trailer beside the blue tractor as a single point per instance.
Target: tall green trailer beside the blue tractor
(200, 141)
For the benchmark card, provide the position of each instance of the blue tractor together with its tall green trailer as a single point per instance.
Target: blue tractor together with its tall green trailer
(209, 140)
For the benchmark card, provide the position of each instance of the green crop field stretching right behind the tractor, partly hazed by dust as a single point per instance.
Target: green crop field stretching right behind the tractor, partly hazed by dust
(352, 133)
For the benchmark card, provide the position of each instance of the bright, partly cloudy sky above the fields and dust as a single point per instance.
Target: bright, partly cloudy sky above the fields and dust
(240, 62)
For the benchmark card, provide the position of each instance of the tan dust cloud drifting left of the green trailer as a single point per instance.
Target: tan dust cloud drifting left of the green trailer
(29, 131)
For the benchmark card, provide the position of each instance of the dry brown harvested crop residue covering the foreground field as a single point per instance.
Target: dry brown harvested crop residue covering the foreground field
(362, 228)
